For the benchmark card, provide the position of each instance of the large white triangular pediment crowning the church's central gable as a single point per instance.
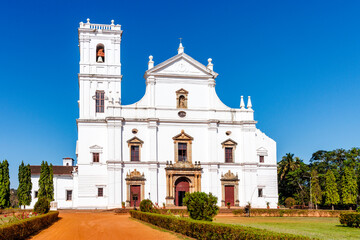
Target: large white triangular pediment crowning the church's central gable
(181, 65)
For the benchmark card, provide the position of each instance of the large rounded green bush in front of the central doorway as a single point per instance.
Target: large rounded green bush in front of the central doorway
(201, 206)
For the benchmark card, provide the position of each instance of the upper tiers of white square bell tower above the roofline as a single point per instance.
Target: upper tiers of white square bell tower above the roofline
(100, 69)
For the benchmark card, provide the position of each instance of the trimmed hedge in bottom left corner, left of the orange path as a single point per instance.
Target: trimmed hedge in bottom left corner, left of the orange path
(24, 228)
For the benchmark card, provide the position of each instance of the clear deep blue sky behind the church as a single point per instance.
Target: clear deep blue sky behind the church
(298, 60)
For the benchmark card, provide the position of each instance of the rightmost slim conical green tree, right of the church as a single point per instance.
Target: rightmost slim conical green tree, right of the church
(348, 187)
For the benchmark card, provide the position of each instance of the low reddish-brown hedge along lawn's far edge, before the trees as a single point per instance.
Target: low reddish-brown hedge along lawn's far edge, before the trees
(291, 212)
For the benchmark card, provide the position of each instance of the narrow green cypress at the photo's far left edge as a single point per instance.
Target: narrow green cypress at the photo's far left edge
(4, 185)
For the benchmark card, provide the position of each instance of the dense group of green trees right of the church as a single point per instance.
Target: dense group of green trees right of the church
(335, 178)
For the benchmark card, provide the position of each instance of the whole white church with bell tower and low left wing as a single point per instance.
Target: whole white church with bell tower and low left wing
(178, 138)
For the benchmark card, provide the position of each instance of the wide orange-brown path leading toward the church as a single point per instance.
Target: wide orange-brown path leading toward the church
(99, 225)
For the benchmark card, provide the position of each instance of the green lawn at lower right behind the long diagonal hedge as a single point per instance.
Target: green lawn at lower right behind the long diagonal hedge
(315, 227)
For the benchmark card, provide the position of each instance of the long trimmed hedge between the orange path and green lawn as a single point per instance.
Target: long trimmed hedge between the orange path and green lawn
(208, 230)
